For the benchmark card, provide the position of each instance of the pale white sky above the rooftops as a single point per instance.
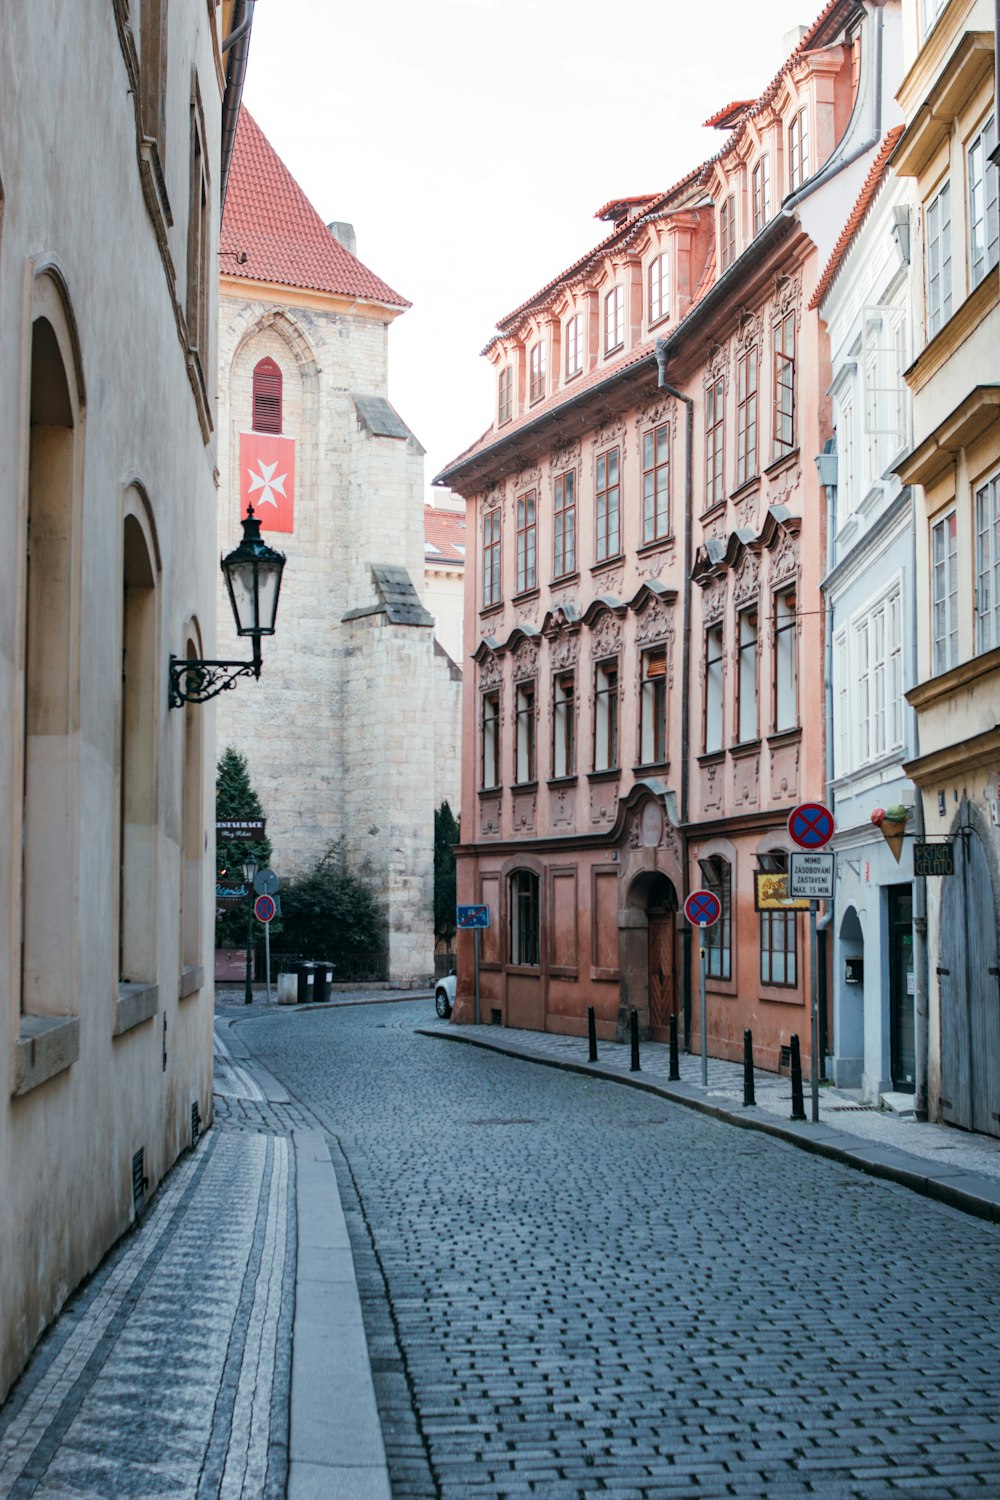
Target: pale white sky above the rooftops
(472, 142)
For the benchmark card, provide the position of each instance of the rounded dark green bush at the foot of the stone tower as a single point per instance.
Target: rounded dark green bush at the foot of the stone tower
(332, 913)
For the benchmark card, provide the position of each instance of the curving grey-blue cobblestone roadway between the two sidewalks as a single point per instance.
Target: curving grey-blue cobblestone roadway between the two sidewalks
(578, 1291)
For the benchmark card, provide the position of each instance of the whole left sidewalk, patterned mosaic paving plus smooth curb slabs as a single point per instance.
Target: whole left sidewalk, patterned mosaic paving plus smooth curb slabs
(220, 1349)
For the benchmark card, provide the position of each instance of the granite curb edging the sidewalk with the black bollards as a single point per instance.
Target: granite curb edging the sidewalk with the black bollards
(962, 1190)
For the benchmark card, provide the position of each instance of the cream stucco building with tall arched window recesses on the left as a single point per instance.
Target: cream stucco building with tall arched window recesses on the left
(110, 217)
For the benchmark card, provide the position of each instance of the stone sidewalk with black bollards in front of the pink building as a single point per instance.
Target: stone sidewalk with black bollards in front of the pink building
(939, 1162)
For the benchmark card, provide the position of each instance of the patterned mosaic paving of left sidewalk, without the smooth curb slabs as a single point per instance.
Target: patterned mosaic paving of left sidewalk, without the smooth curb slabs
(169, 1373)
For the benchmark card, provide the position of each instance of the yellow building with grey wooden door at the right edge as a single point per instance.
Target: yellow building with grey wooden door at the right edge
(950, 149)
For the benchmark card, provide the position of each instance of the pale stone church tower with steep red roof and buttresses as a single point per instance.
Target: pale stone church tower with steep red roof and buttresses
(340, 734)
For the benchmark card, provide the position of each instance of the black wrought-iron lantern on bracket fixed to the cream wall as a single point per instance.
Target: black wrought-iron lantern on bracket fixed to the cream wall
(254, 580)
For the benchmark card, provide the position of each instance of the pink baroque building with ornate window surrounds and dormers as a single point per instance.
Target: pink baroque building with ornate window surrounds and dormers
(647, 536)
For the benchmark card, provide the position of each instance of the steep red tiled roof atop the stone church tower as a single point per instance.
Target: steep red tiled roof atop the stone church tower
(269, 217)
